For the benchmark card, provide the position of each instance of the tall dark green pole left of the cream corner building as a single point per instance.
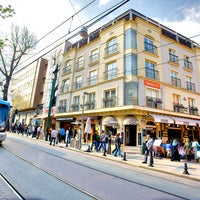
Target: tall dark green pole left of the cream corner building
(50, 101)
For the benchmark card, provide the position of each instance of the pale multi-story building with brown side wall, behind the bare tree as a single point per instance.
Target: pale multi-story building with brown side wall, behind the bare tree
(27, 92)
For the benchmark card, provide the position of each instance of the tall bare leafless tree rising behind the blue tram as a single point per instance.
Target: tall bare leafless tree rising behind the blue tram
(20, 43)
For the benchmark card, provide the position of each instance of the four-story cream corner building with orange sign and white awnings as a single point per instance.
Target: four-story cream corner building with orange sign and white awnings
(134, 76)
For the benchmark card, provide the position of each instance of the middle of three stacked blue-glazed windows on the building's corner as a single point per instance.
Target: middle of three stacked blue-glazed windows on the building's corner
(130, 64)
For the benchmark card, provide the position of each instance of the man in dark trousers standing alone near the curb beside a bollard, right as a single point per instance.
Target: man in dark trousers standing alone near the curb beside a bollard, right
(149, 150)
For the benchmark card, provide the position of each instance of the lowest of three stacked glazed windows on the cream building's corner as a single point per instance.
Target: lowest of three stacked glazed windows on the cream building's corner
(131, 93)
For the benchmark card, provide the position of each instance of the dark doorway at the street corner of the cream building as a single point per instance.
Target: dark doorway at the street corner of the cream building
(130, 135)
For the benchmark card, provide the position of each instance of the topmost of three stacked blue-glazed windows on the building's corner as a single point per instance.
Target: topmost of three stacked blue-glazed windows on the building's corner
(130, 39)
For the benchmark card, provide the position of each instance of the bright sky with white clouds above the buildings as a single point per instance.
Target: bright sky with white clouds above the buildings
(41, 16)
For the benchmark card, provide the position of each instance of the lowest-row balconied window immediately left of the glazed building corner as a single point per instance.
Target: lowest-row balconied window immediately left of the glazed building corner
(110, 98)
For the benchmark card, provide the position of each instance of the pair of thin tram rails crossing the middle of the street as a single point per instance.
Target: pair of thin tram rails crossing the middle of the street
(88, 167)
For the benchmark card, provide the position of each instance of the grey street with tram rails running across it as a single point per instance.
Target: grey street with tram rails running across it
(36, 170)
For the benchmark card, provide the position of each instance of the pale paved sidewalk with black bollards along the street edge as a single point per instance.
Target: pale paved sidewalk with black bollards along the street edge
(164, 165)
